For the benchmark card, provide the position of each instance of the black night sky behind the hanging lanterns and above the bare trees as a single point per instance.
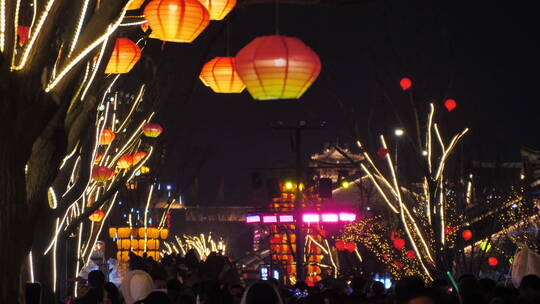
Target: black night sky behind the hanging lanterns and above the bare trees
(480, 54)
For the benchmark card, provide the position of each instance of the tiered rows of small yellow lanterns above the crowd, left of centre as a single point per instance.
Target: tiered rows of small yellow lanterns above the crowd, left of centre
(138, 240)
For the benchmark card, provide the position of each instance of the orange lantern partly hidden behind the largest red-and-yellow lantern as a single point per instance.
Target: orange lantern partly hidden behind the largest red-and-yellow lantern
(220, 75)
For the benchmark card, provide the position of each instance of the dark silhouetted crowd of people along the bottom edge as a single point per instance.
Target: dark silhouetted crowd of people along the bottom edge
(186, 280)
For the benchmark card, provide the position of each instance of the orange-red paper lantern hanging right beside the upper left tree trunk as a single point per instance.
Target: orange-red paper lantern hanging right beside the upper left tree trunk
(125, 55)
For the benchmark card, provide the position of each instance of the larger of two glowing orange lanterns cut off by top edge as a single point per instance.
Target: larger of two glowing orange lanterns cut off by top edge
(176, 20)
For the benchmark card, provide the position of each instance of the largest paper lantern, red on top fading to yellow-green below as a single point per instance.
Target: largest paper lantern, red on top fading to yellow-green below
(277, 67)
